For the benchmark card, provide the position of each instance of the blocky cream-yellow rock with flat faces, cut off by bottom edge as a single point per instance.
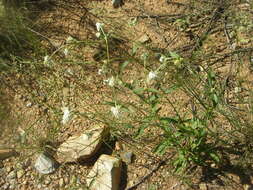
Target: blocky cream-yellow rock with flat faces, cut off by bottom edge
(105, 174)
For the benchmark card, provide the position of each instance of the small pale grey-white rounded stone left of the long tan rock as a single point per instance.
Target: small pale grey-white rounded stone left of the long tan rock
(44, 164)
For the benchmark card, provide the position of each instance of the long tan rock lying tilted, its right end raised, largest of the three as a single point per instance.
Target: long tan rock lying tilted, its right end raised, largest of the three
(82, 147)
